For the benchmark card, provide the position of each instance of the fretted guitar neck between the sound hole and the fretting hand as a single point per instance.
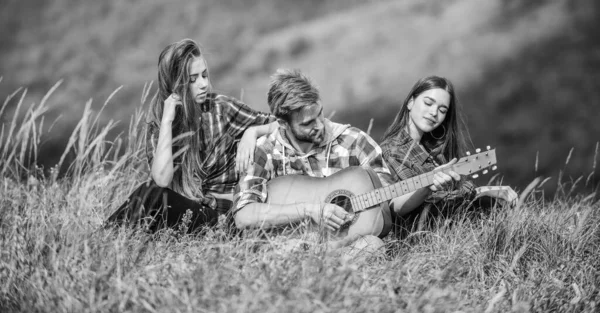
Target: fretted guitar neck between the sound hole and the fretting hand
(377, 196)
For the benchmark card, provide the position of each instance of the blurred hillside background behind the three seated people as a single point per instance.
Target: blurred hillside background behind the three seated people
(527, 72)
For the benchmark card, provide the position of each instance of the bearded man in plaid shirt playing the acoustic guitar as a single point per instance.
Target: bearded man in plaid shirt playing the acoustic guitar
(306, 143)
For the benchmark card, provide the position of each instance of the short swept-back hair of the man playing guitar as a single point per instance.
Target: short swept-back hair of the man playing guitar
(290, 90)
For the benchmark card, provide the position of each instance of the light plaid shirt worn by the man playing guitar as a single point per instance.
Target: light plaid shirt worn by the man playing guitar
(275, 156)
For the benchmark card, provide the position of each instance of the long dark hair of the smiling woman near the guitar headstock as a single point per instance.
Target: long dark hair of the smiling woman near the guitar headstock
(452, 137)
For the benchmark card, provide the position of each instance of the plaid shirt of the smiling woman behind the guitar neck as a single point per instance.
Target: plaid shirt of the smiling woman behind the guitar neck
(406, 158)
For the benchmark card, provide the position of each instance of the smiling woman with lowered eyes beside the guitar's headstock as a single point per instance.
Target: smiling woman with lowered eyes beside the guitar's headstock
(426, 135)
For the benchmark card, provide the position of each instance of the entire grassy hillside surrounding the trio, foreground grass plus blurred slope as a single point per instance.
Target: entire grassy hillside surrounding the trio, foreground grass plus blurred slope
(527, 73)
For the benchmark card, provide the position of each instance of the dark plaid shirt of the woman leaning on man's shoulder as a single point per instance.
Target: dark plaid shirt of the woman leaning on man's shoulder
(224, 121)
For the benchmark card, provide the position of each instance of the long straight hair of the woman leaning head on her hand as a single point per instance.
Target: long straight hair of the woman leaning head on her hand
(174, 77)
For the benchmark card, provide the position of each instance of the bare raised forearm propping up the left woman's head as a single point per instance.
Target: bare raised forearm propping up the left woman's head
(162, 163)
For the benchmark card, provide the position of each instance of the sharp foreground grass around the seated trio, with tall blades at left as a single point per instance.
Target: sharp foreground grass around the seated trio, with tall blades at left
(541, 256)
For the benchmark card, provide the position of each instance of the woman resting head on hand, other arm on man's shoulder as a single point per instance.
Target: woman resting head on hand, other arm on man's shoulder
(192, 146)
